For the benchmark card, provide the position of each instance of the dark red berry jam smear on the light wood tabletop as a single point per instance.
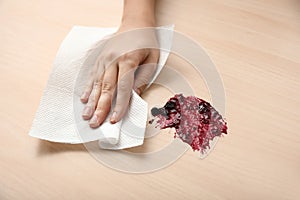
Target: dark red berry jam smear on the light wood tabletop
(195, 121)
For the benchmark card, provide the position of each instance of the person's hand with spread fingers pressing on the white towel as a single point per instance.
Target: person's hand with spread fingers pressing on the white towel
(119, 72)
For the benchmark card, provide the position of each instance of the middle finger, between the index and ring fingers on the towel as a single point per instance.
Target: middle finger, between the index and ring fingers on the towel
(106, 97)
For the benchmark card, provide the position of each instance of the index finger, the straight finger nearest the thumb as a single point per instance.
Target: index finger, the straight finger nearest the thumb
(125, 85)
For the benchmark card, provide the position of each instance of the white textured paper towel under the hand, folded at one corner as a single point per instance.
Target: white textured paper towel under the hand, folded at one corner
(58, 117)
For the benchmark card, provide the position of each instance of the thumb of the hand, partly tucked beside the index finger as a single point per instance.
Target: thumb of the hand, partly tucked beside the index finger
(145, 72)
